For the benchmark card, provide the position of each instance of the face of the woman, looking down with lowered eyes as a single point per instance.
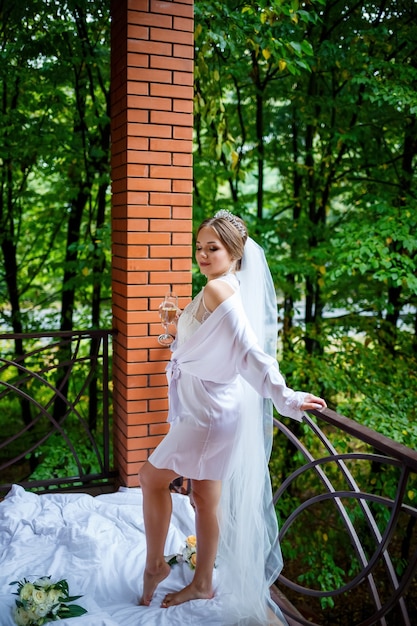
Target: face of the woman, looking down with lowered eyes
(212, 257)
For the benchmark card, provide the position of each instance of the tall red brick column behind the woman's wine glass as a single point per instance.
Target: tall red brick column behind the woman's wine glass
(152, 104)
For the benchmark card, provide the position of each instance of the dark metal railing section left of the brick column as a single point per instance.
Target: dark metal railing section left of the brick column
(54, 393)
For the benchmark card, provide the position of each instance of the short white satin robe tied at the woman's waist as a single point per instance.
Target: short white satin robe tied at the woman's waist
(205, 393)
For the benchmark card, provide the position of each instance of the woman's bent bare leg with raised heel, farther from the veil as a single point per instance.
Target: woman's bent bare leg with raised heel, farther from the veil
(157, 509)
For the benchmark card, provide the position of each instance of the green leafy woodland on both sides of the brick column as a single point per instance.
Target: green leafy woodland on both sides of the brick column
(305, 125)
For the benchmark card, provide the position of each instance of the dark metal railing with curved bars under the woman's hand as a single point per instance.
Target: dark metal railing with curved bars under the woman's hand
(359, 488)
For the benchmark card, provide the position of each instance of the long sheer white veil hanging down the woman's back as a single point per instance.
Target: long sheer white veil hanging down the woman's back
(249, 552)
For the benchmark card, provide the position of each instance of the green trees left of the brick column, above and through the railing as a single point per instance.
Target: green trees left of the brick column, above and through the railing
(54, 214)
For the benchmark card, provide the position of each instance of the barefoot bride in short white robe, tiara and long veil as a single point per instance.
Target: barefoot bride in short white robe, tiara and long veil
(220, 433)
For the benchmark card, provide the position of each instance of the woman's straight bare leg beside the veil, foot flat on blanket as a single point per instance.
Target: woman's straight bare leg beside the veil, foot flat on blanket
(206, 494)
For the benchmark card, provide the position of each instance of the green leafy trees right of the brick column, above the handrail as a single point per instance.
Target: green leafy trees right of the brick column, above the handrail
(306, 127)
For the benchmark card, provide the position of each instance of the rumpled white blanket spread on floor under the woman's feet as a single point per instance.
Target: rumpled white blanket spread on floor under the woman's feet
(98, 545)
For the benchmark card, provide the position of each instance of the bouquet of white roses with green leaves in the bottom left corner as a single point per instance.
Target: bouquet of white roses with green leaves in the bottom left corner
(43, 601)
